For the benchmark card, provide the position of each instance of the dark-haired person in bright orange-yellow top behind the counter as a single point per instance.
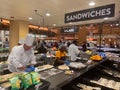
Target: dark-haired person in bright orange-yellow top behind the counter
(60, 56)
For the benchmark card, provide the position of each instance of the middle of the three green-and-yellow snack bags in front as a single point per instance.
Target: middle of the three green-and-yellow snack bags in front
(26, 80)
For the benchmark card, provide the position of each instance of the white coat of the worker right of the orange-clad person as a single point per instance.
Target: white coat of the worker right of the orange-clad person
(73, 51)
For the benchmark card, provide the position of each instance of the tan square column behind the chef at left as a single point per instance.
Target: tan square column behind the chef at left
(18, 30)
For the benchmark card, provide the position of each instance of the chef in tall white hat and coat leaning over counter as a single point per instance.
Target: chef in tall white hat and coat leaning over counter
(22, 56)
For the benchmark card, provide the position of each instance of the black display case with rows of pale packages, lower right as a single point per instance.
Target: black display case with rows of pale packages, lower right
(102, 77)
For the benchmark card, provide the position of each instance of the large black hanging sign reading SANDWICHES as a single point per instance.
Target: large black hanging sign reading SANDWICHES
(90, 14)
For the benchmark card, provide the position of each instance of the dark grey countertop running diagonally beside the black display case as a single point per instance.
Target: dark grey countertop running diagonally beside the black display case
(61, 79)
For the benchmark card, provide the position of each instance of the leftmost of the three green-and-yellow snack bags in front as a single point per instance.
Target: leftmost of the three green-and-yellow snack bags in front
(15, 83)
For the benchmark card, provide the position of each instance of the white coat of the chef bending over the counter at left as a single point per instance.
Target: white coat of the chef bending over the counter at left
(19, 57)
